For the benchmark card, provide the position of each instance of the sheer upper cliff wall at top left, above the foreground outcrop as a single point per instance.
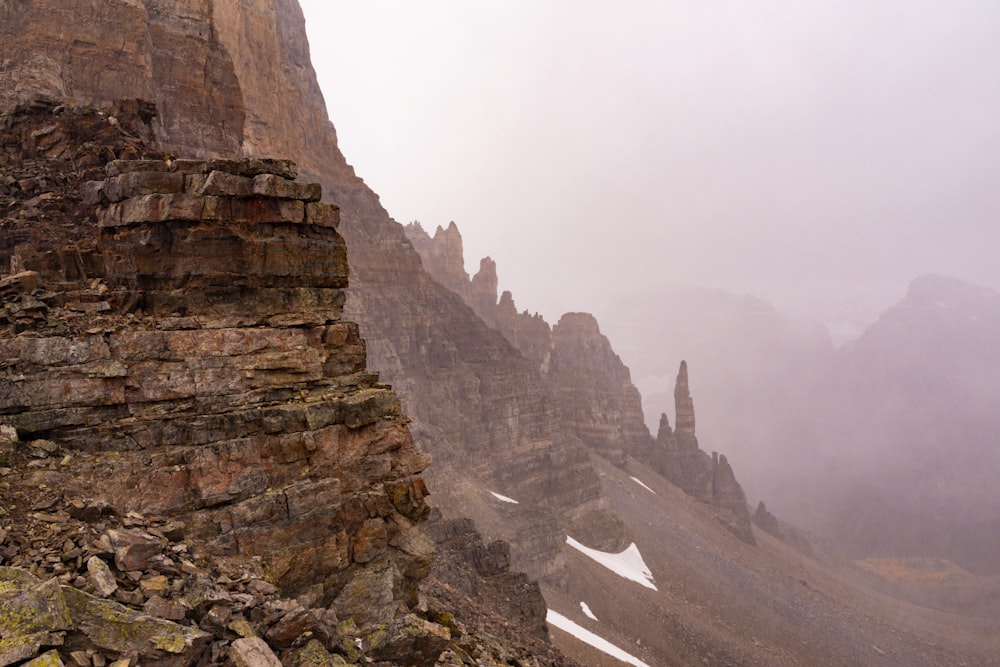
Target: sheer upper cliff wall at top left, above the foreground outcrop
(227, 76)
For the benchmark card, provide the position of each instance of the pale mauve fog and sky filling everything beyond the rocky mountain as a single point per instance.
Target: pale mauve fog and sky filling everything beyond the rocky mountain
(705, 178)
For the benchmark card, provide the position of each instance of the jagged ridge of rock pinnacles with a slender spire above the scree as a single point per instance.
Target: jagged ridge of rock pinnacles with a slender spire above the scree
(596, 402)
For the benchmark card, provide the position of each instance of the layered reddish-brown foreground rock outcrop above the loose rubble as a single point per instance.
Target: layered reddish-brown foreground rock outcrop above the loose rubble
(192, 363)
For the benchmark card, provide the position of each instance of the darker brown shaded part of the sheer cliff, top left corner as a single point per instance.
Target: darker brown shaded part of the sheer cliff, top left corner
(79, 51)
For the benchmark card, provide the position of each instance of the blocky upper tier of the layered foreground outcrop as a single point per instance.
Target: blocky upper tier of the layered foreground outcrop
(234, 240)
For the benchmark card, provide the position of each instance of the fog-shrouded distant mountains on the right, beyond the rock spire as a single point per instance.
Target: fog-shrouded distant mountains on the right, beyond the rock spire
(882, 446)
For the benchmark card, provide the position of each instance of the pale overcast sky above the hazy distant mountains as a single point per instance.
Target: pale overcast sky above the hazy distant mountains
(811, 152)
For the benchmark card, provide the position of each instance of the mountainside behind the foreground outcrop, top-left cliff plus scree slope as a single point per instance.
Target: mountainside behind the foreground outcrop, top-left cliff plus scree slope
(479, 405)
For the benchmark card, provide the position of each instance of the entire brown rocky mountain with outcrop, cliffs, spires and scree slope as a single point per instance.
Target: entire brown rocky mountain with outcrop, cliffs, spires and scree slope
(243, 410)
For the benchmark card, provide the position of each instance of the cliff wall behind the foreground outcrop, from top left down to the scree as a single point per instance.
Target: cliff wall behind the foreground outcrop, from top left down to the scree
(476, 403)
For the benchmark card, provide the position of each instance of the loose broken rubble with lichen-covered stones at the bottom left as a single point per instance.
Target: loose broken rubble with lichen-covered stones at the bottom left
(85, 586)
